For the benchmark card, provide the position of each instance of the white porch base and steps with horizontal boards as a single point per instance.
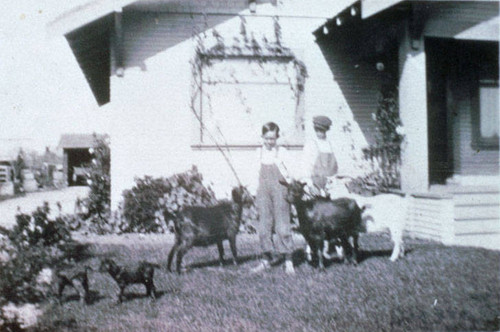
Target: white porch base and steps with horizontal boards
(457, 214)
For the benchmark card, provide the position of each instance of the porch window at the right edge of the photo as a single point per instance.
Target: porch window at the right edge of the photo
(485, 122)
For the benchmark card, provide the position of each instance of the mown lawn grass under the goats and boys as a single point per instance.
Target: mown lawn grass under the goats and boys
(434, 288)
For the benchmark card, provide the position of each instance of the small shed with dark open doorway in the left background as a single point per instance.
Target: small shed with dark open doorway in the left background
(77, 155)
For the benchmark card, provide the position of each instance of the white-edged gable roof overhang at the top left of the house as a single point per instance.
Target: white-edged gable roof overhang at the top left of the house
(93, 30)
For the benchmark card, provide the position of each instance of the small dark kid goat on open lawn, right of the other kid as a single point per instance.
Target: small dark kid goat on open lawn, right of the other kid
(143, 274)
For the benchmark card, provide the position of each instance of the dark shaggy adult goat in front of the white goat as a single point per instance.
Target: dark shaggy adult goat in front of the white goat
(323, 219)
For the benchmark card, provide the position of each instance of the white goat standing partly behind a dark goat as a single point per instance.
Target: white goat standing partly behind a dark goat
(381, 212)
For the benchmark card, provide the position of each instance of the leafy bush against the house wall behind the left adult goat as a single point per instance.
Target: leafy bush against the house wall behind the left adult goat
(152, 202)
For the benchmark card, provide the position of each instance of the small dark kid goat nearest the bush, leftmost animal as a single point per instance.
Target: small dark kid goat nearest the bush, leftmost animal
(78, 279)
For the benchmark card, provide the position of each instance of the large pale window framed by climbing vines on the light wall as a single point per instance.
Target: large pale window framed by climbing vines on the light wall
(240, 94)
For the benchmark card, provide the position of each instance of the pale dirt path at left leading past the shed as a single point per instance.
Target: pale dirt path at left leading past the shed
(28, 203)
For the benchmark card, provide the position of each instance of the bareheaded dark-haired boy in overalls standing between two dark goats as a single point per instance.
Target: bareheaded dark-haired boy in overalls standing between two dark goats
(274, 210)
